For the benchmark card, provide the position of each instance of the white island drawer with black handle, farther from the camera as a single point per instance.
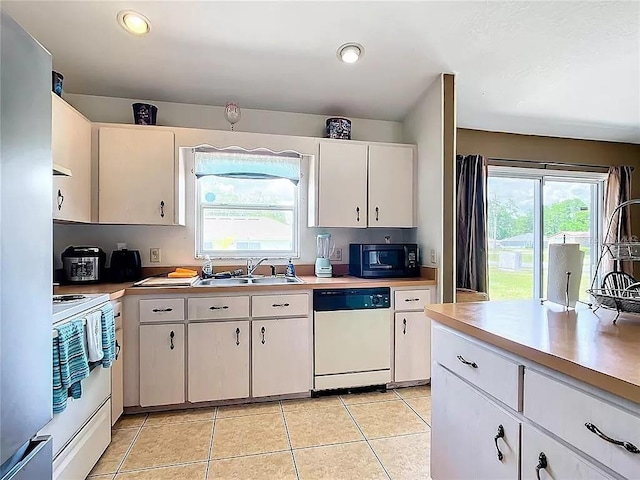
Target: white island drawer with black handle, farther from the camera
(496, 375)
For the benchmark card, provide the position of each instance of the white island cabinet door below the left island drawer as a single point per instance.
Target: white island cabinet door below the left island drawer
(466, 437)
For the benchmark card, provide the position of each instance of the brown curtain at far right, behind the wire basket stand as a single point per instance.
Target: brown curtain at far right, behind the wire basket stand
(618, 191)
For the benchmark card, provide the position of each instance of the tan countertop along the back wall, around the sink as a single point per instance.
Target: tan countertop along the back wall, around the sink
(117, 290)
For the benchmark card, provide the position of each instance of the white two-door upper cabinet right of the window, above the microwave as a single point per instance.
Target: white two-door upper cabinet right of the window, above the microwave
(362, 185)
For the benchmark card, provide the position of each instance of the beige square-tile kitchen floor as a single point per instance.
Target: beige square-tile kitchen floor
(362, 436)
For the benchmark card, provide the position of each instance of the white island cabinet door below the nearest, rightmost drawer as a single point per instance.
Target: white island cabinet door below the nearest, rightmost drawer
(560, 461)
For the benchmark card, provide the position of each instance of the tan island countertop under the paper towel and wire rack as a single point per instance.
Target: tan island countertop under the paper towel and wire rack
(581, 344)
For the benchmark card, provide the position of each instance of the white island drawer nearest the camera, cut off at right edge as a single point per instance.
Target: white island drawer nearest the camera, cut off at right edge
(564, 411)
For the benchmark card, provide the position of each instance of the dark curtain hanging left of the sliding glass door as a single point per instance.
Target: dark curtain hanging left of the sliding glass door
(472, 244)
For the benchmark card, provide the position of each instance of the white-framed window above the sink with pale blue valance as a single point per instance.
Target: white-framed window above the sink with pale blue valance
(247, 203)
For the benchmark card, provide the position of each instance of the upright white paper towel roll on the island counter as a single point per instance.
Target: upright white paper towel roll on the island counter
(563, 258)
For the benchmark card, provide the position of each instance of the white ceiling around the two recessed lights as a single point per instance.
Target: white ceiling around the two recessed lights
(549, 68)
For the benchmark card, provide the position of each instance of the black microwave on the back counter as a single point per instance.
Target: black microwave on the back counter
(387, 260)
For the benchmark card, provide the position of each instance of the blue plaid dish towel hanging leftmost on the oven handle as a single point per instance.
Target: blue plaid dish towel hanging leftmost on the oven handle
(70, 363)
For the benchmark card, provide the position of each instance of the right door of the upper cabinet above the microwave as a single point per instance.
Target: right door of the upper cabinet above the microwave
(391, 186)
